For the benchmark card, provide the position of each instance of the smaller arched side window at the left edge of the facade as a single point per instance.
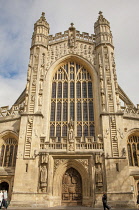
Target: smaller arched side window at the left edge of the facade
(8, 153)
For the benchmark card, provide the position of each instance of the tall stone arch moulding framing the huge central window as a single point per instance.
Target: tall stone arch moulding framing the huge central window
(94, 78)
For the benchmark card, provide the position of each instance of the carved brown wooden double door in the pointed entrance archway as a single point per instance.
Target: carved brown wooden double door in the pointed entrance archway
(71, 188)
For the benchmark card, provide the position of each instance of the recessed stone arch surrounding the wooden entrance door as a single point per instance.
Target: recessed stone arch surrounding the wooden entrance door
(57, 181)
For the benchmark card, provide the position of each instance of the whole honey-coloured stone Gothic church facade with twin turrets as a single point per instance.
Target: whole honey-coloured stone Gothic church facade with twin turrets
(73, 133)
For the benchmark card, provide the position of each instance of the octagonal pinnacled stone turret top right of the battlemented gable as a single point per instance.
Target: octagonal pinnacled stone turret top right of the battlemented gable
(102, 31)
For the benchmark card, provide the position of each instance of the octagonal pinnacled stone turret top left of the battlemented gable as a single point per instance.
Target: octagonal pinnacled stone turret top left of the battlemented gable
(41, 32)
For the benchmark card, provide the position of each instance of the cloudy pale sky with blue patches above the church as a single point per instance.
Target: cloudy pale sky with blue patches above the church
(17, 18)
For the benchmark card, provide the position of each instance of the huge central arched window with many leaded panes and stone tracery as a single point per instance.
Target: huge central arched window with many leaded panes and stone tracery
(72, 98)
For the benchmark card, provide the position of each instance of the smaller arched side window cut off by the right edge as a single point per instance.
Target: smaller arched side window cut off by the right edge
(133, 150)
